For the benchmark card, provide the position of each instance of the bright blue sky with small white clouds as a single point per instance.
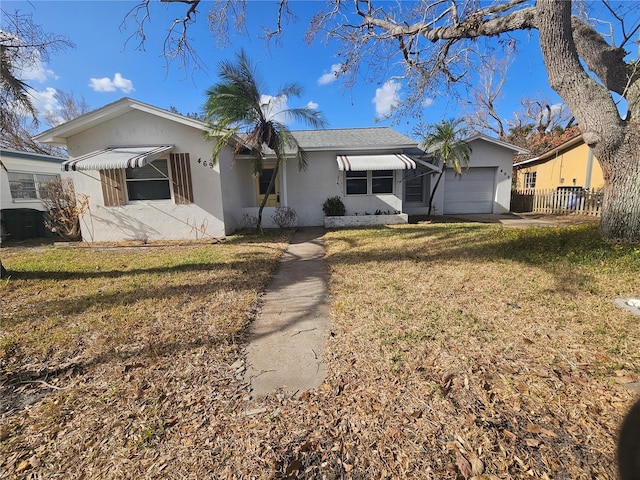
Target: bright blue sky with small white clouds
(103, 66)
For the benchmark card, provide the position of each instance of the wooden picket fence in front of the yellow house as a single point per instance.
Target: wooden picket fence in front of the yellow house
(557, 202)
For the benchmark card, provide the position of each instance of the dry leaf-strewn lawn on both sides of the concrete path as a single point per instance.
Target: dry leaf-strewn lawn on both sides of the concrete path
(455, 350)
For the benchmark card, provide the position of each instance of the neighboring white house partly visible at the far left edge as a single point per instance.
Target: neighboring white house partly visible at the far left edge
(22, 177)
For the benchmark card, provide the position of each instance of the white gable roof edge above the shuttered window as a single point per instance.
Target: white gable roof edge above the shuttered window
(58, 135)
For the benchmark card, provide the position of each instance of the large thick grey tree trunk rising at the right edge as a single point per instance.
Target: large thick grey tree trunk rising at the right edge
(615, 142)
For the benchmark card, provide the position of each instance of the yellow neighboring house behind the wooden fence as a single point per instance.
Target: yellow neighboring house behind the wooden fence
(570, 164)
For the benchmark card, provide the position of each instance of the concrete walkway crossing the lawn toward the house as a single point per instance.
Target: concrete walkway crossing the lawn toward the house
(288, 337)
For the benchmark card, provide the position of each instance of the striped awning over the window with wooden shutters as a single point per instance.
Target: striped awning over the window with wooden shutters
(117, 157)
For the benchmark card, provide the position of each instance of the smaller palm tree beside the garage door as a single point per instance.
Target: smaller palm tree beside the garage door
(444, 142)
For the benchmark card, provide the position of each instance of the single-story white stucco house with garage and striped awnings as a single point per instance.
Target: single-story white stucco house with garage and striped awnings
(148, 175)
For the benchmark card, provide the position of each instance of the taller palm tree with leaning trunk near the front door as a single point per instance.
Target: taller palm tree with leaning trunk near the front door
(236, 106)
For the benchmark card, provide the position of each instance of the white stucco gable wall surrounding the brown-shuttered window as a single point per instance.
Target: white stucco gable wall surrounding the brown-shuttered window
(151, 220)
